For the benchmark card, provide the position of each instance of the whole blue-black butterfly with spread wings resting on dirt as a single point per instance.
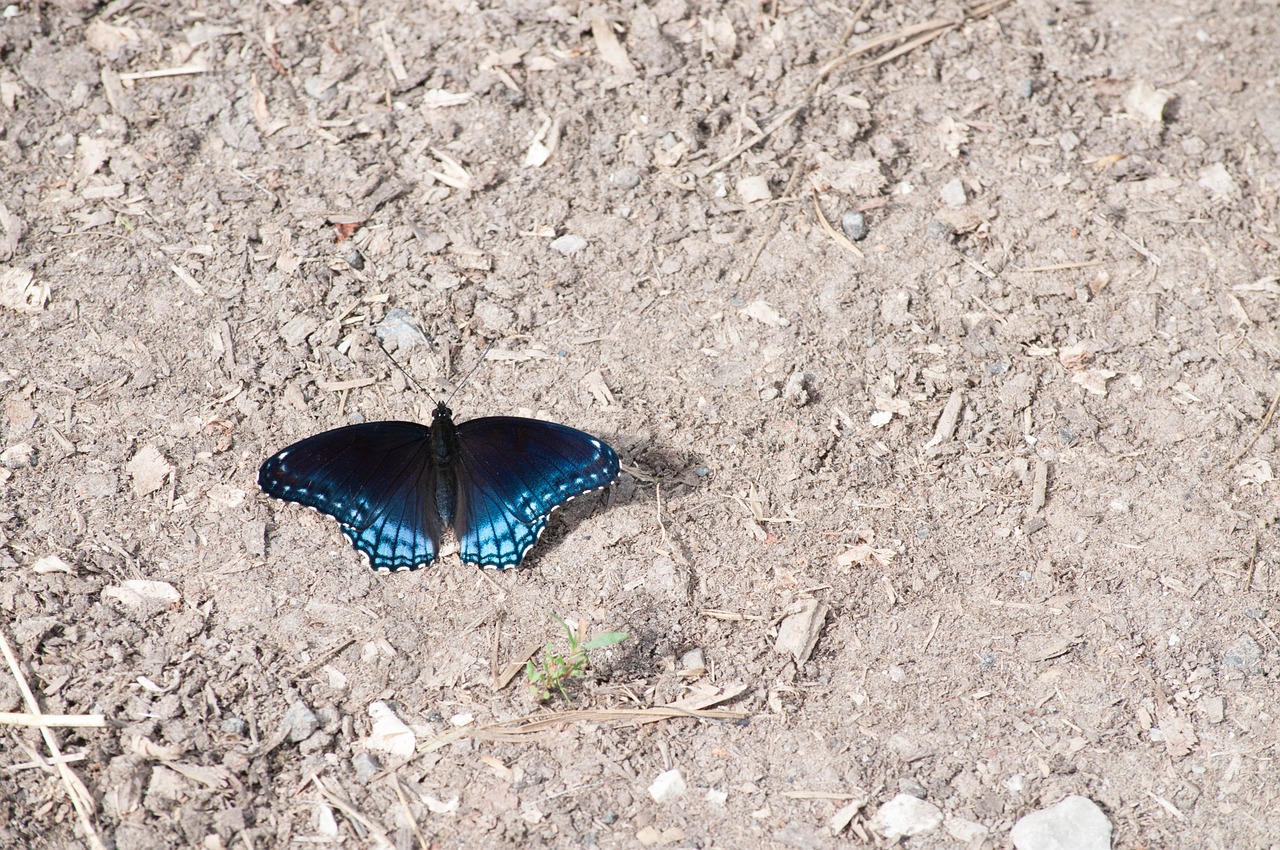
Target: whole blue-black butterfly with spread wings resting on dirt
(396, 487)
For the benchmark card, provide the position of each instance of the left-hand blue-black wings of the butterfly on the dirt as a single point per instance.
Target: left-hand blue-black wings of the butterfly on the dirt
(376, 479)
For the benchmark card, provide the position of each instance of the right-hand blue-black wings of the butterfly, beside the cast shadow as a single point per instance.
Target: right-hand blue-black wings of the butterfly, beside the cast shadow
(513, 473)
